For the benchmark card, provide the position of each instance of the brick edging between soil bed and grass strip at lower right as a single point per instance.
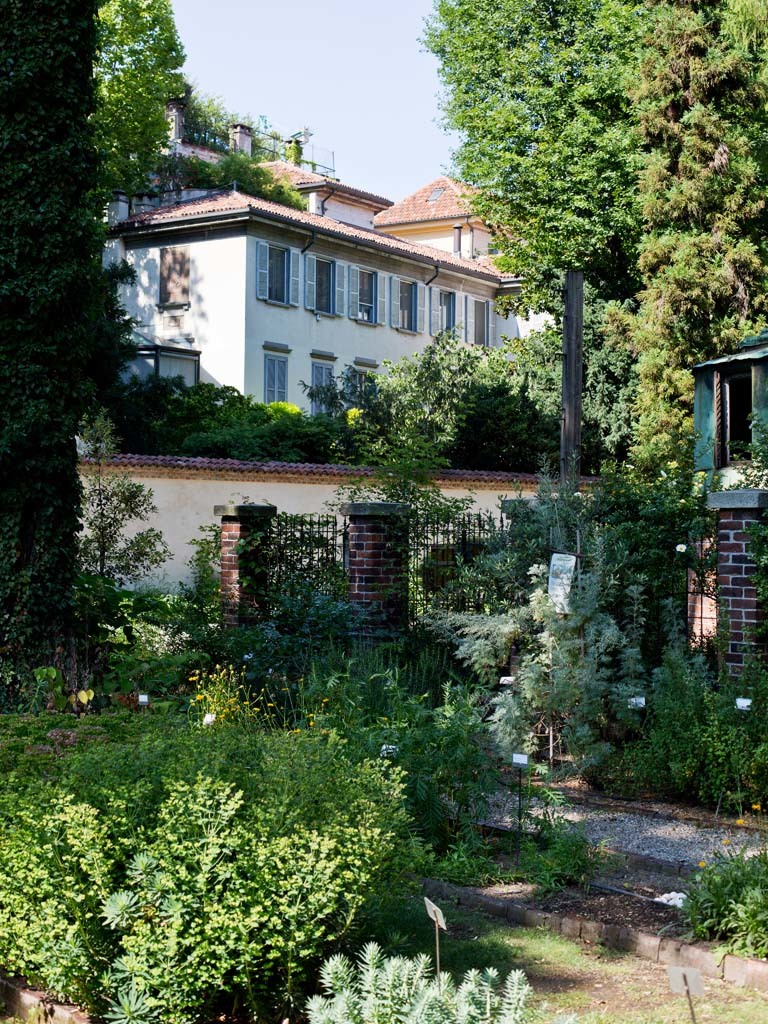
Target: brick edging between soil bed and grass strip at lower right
(739, 970)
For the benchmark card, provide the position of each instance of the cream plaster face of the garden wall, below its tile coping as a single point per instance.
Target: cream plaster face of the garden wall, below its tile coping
(186, 505)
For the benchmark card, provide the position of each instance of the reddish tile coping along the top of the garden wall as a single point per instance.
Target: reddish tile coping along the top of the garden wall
(184, 464)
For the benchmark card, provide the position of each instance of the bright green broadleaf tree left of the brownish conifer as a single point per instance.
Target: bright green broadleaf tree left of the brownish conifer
(538, 91)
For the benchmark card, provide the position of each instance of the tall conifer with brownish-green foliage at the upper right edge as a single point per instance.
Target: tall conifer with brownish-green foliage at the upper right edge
(704, 122)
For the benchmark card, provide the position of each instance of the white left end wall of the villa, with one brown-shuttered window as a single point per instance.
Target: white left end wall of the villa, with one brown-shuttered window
(215, 324)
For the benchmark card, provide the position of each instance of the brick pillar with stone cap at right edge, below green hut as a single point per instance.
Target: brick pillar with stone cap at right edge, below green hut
(739, 610)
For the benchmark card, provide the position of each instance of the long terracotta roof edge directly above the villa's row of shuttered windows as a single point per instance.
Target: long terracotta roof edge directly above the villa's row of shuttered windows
(221, 204)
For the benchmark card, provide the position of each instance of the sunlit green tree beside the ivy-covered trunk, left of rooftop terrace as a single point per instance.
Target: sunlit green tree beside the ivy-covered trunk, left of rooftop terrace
(138, 71)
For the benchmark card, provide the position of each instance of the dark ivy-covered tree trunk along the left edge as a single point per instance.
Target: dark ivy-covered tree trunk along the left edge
(50, 268)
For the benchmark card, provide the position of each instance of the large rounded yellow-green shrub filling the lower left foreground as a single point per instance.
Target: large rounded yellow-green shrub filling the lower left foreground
(185, 873)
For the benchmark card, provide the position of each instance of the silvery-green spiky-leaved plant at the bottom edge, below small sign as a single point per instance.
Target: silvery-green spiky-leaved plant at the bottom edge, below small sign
(401, 991)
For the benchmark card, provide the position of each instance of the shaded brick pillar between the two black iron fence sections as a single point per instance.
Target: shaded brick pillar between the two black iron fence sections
(377, 563)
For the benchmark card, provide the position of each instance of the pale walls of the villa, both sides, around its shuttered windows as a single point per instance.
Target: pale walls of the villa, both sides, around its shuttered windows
(235, 330)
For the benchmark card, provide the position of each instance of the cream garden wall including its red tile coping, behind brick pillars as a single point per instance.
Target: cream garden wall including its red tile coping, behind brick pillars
(187, 490)
